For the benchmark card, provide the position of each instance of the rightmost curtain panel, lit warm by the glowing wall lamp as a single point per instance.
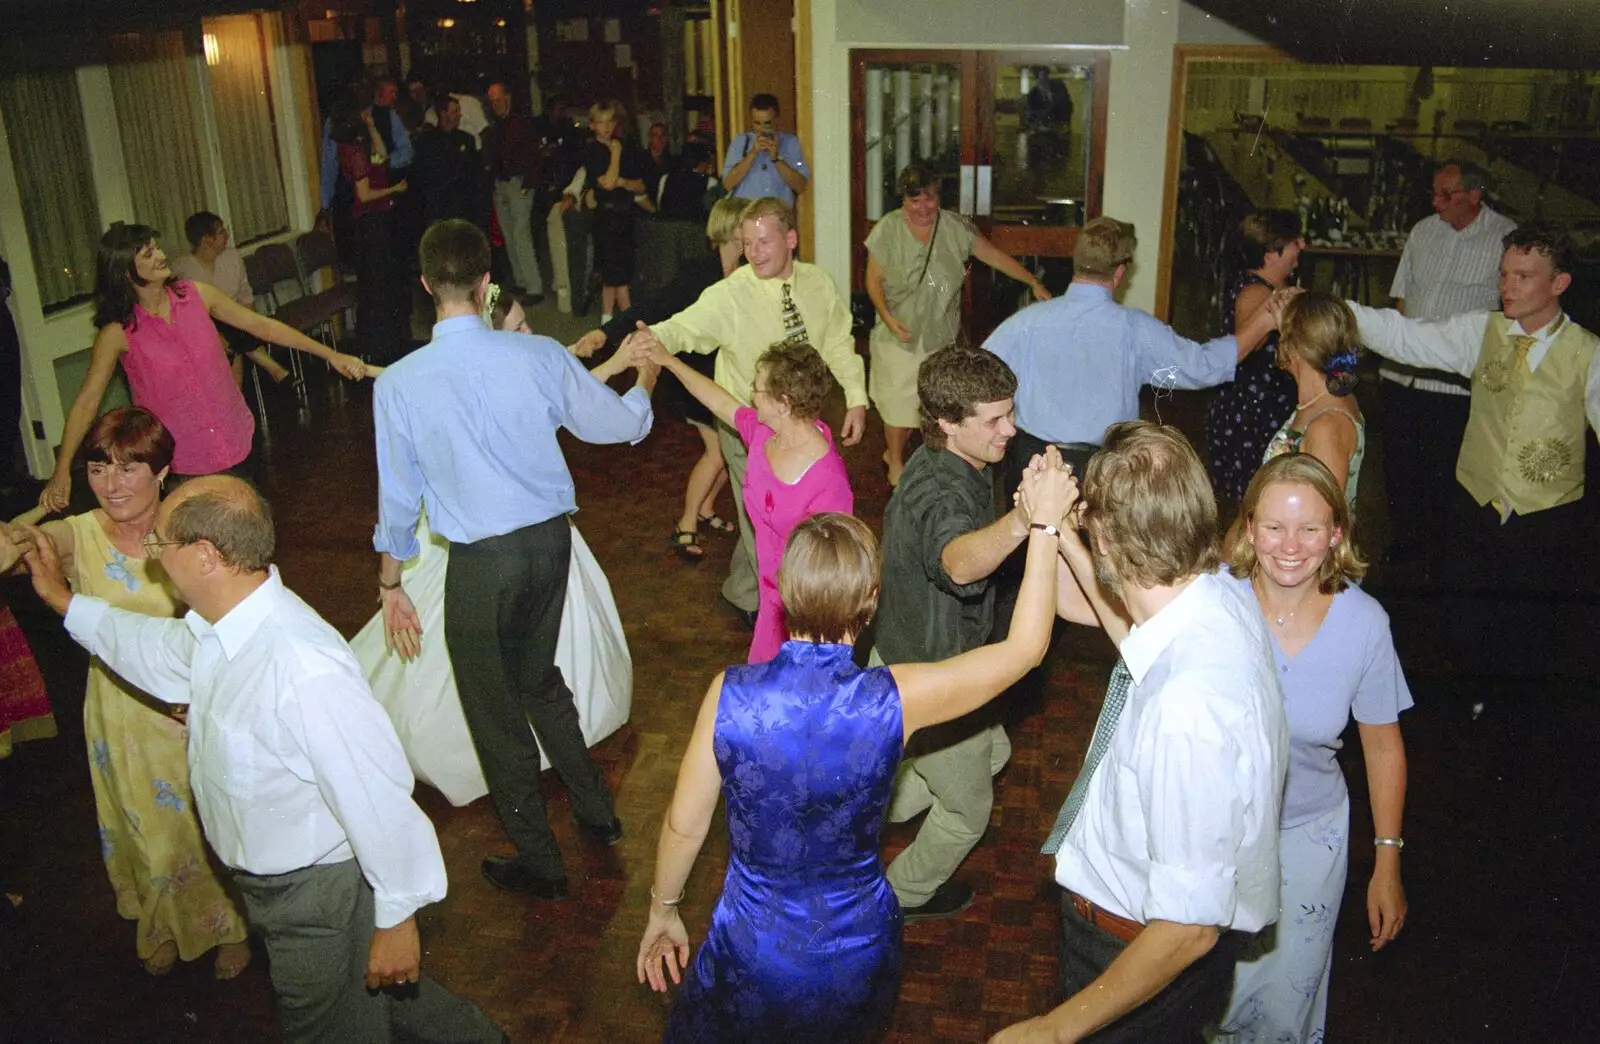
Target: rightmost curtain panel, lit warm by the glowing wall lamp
(242, 102)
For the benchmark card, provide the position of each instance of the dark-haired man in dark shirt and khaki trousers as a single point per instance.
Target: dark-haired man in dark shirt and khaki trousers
(942, 542)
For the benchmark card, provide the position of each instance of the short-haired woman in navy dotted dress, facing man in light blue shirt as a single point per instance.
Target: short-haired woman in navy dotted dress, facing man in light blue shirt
(1247, 412)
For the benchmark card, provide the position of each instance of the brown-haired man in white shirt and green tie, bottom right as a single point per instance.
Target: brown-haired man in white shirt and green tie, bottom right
(1169, 841)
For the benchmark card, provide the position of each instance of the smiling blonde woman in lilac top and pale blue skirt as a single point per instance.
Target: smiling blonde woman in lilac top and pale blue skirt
(1335, 661)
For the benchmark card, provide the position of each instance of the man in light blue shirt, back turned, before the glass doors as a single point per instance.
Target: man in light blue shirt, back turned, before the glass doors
(1082, 359)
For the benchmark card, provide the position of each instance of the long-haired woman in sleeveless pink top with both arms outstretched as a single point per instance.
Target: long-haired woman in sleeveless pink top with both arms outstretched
(162, 334)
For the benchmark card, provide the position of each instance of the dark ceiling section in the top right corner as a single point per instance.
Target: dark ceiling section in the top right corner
(1513, 34)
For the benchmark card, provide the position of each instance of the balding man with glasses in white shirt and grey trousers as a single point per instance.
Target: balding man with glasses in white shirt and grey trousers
(297, 773)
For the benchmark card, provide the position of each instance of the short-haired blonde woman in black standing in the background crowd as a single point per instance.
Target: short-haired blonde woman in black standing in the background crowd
(615, 174)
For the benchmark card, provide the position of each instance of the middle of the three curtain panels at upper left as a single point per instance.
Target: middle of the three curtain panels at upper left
(159, 122)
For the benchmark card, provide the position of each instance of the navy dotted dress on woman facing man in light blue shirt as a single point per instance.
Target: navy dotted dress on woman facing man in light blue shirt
(1246, 412)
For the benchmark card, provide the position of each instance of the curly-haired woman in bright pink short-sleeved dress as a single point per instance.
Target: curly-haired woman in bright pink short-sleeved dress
(794, 468)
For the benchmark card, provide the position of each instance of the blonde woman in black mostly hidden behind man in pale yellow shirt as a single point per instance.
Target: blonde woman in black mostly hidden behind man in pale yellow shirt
(710, 473)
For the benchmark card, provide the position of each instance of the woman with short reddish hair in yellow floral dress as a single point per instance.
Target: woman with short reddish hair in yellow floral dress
(156, 857)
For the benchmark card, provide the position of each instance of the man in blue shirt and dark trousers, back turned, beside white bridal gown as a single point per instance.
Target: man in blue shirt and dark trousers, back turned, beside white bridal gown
(466, 427)
